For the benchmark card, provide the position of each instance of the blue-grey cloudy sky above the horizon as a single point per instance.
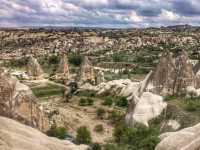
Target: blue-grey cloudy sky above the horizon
(99, 13)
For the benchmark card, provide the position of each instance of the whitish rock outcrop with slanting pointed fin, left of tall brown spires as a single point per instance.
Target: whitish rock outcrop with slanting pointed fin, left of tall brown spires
(143, 106)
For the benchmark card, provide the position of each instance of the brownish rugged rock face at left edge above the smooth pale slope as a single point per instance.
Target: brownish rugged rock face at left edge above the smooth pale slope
(18, 102)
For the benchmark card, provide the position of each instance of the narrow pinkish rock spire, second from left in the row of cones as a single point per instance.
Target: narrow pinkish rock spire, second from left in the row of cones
(63, 68)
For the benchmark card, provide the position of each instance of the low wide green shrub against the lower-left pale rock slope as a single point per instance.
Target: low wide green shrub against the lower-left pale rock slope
(59, 132)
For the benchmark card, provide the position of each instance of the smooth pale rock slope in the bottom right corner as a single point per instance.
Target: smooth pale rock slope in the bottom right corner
(185, 139)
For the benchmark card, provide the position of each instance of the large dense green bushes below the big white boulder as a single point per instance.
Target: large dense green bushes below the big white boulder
(138, 137)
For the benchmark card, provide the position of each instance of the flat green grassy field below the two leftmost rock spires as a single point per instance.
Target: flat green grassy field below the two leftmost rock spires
(48, 90)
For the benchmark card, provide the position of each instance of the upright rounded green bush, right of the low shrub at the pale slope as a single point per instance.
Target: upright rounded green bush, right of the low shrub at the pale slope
(83, 135)
